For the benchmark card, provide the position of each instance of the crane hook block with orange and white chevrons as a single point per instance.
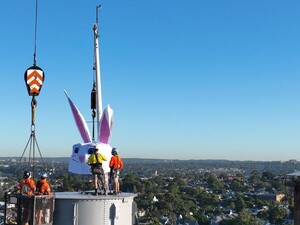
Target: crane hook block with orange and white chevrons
(34, 77)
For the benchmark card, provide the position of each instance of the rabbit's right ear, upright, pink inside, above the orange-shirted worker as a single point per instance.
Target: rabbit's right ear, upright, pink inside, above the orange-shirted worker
(105, 126)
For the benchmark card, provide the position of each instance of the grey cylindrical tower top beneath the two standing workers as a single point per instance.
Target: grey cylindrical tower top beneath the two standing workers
(73, 208)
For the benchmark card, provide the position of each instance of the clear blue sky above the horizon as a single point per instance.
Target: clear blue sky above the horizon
(196, 79)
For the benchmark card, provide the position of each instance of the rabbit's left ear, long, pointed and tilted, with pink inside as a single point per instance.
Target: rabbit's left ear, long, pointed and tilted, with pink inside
(80, 122)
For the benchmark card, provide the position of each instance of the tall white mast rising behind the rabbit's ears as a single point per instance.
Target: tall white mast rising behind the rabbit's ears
(97, 68)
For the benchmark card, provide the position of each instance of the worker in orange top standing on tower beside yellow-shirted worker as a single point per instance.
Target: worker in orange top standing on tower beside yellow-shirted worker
(115, 165)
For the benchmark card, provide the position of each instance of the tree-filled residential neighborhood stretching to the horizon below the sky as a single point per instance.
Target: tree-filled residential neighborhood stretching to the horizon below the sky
(185, 192)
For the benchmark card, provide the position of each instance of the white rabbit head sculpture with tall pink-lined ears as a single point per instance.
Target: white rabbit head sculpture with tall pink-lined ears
(82, 151)
